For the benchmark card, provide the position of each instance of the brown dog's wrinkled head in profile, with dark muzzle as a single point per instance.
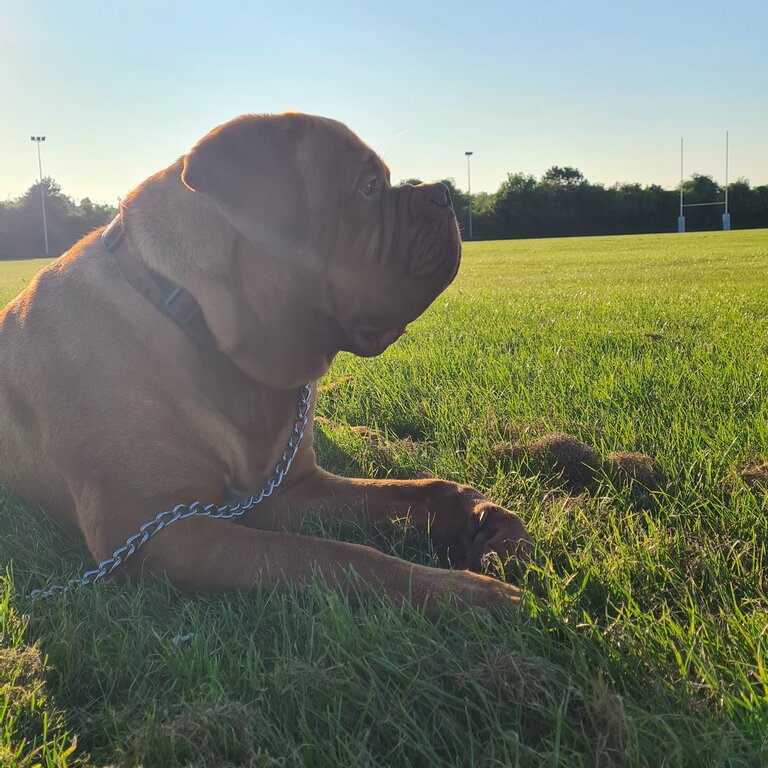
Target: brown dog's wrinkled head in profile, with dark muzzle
(366, 257)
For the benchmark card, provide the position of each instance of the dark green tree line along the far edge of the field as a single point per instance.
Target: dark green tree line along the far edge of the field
(561, 203)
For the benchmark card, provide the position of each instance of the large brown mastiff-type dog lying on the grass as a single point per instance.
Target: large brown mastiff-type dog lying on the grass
(121, 396)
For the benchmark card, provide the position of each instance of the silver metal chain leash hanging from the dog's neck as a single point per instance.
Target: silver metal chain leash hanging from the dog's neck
(195, 509)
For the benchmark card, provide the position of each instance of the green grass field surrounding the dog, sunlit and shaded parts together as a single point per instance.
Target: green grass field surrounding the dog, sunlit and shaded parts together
(643, 637)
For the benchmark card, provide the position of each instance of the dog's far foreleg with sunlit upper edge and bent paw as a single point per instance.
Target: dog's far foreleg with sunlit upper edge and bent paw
(459, 519)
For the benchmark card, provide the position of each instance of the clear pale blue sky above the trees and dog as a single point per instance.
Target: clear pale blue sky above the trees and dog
(121, 89)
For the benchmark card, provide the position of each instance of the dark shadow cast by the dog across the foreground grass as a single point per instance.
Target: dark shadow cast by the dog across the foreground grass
(142, 674)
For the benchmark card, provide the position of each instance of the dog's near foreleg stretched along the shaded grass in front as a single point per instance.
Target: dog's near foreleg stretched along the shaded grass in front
(204, 555)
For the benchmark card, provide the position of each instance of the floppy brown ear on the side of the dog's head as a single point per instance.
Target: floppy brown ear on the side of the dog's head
(248, 168)
